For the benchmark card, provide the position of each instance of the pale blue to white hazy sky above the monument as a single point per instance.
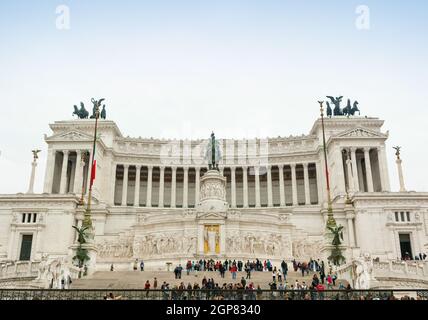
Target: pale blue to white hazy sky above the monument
(179, 69)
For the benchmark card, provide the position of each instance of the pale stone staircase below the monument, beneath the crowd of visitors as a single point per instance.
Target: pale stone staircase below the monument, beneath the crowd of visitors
(137, 279)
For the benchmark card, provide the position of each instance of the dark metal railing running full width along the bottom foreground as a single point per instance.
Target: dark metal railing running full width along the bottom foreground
(214, 294)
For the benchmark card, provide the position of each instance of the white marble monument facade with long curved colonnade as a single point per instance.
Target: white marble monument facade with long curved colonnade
(162, 202)
